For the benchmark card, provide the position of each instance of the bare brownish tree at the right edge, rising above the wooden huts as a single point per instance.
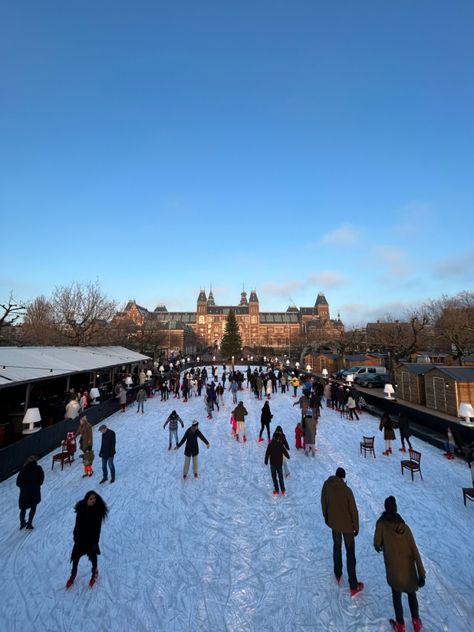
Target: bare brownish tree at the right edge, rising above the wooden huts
(453, 323)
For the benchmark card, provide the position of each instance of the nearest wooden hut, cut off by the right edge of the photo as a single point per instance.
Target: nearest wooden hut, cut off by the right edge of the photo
(446, 387)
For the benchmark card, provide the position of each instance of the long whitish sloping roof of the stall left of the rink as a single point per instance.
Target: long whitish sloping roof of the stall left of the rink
(27, 364)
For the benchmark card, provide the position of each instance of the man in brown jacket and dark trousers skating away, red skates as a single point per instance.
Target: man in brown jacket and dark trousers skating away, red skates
(341, 515)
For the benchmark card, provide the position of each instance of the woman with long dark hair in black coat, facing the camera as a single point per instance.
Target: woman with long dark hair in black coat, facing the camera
(91, 511)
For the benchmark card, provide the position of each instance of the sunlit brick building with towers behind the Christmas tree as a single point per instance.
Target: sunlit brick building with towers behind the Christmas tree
(278, 330)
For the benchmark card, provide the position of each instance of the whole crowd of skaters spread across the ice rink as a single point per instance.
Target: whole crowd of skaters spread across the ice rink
(404, 568)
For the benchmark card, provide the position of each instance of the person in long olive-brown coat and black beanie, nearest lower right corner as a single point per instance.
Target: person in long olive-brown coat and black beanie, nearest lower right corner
(403, 565)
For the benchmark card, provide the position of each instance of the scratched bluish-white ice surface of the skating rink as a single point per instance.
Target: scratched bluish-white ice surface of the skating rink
(221, 553)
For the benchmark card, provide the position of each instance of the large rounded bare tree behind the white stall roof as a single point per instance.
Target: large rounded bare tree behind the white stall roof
(81, 310)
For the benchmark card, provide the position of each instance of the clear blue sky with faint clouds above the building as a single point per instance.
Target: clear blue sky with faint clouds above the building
(295, 147)
